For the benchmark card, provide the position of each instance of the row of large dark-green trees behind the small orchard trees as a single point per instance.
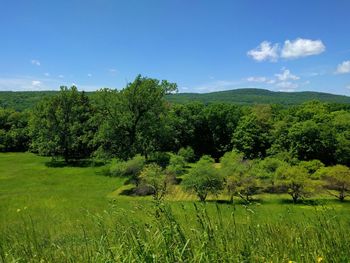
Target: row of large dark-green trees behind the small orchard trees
(138, 120)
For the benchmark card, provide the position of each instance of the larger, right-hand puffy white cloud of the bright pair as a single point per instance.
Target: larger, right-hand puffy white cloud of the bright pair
(302, 48)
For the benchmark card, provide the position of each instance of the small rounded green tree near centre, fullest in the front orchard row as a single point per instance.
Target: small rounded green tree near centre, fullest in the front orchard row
(204, 179)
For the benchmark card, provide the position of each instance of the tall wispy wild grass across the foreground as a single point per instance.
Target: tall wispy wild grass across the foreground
(203, 236)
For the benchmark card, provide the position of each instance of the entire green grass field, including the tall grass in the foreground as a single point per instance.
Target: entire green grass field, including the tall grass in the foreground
(76, 214)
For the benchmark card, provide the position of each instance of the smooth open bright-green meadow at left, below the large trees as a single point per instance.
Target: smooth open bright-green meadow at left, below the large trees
(58, 194)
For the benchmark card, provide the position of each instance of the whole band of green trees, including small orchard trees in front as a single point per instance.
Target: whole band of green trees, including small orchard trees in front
(144, 133)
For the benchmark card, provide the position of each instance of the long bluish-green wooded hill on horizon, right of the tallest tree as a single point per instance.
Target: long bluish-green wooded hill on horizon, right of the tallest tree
(258, 96)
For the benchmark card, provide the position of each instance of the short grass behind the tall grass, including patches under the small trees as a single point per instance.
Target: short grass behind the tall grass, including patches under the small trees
(65, 193)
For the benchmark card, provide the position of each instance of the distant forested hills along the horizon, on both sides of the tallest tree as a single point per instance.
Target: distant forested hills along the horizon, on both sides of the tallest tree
(27, 99)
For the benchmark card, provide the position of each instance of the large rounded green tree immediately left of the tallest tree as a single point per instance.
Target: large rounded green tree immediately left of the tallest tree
(60, 126)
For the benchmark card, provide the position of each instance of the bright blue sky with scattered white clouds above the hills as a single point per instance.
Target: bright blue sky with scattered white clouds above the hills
(202, 45)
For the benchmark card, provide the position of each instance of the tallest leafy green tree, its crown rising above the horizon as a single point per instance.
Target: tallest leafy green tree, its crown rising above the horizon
(132, 118)
